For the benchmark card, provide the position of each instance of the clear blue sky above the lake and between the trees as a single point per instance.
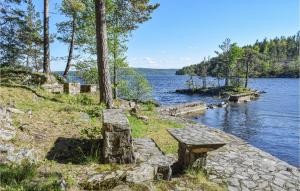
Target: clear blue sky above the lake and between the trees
(183, 32)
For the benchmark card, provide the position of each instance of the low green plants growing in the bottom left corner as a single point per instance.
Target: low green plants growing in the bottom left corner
(25, 177)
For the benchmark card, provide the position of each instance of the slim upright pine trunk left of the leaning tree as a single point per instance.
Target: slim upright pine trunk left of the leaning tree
(46, 63)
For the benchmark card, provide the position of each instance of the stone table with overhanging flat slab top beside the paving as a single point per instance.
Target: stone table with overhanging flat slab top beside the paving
(194, 143)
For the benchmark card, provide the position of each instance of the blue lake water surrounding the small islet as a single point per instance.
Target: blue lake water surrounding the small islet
(270, 123)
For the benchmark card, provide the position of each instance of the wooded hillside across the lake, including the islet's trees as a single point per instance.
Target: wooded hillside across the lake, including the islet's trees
(278, 57)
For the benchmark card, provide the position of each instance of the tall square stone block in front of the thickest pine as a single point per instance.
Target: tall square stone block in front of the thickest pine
(117, 141)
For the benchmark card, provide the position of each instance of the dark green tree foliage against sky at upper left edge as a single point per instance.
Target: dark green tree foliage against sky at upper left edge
(20, 34)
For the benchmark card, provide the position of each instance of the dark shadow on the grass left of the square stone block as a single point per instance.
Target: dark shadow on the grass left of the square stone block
(76, 151)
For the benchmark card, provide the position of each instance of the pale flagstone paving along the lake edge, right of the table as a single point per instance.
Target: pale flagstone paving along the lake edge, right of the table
(245, 167)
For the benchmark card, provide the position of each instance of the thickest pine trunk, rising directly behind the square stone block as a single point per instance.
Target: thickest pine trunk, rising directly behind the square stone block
(102, 55)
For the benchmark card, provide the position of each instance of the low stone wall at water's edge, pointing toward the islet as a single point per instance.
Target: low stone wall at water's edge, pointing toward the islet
(183, 109)
